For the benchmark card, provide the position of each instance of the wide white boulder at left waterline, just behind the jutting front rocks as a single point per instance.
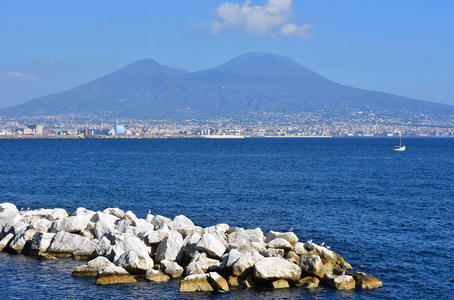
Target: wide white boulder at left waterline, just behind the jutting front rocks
(65, 243)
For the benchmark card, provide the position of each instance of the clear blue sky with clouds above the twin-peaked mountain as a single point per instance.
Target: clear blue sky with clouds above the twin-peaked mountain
(400, 47)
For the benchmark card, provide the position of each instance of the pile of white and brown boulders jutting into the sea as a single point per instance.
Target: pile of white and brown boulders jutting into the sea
(120, 247)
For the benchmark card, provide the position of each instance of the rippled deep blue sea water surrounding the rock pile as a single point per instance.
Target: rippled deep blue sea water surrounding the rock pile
(389, 214)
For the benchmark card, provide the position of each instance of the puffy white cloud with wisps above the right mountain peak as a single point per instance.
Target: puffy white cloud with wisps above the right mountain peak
(256, 19)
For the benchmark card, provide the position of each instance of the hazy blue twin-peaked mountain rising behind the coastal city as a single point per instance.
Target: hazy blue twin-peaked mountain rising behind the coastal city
(252, 82)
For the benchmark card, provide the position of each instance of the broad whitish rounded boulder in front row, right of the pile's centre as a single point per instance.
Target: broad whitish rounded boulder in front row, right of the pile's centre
(274, 268)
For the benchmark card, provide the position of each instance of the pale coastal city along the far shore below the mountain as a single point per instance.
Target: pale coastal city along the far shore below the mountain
(320, 122)
